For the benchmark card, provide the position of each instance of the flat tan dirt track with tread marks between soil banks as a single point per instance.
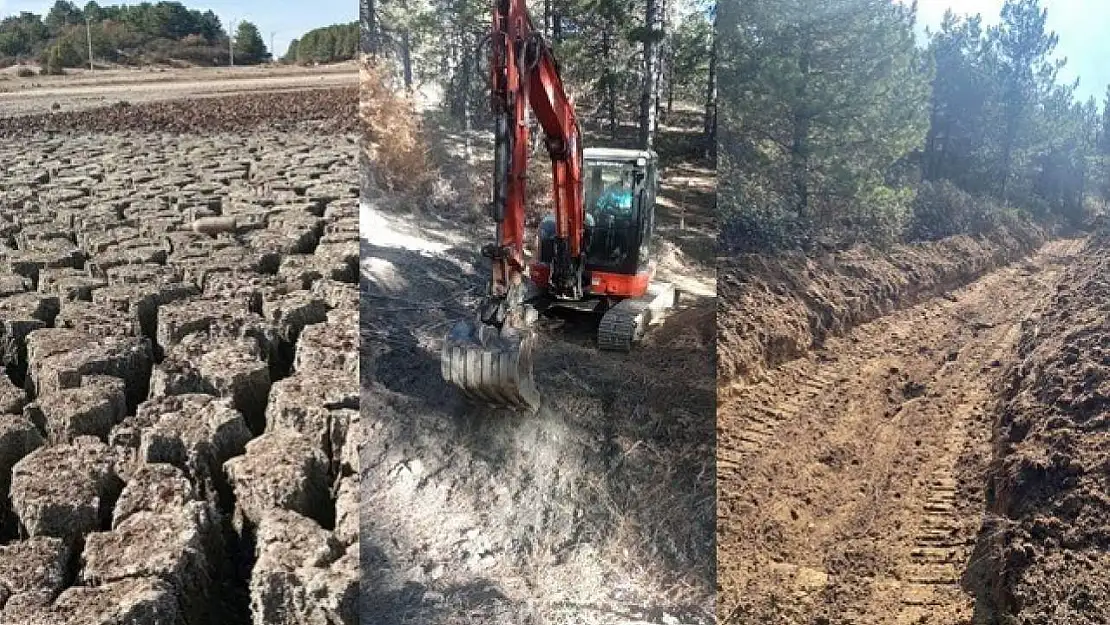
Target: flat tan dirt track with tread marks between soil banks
(851, 482)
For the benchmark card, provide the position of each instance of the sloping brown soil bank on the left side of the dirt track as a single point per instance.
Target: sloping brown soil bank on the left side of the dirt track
(773, 310)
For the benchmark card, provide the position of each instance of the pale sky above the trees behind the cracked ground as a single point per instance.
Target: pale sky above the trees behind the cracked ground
(287, 19)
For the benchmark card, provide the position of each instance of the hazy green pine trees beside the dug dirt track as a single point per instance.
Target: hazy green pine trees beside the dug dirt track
(841, 126)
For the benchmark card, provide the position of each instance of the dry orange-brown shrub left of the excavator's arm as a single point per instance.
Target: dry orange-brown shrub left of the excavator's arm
(393, 139)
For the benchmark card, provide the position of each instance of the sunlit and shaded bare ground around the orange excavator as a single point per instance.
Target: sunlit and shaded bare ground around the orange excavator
(599, 509)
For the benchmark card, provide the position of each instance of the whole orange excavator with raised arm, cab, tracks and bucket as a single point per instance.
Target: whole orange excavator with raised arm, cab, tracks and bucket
(594, 251)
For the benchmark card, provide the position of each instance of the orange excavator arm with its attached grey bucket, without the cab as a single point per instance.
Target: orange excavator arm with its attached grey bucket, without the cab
(490, 358)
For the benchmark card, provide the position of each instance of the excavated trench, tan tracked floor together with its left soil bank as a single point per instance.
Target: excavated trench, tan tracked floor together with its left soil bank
(853, 479)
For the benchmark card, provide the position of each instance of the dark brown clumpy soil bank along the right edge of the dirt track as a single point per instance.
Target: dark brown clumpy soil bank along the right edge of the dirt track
(1044, 552)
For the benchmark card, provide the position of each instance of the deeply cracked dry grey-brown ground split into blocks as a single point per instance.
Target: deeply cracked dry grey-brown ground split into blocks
(179, 424)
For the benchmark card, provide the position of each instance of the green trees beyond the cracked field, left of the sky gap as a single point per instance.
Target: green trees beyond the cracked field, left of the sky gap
(133, 35)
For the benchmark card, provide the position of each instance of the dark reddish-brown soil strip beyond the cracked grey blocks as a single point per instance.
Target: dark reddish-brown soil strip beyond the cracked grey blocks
(338, 107)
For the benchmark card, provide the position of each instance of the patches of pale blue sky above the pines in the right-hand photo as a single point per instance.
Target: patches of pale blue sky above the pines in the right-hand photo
(1084, 27)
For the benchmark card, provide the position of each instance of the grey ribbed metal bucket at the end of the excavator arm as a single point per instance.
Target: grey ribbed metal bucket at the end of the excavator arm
(491, 366)
